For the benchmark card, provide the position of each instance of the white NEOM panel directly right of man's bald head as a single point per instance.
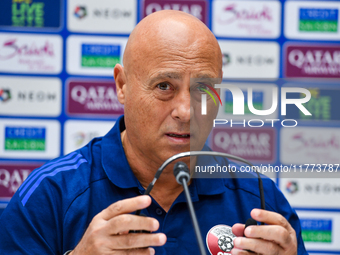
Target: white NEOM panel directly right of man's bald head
(243, 59)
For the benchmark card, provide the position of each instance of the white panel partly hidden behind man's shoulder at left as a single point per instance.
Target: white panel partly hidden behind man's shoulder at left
(79, 133)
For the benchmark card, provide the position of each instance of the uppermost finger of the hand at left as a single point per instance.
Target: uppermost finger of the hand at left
(125, 206)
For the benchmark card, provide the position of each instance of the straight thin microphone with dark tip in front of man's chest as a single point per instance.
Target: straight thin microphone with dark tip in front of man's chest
(182, 174)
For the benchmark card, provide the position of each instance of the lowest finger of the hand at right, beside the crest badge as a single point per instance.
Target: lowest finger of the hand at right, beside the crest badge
(257, 245)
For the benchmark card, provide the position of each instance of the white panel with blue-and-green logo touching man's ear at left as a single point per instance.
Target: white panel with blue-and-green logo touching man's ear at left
(96, 56)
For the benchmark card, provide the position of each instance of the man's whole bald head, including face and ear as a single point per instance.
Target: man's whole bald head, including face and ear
(164, 52)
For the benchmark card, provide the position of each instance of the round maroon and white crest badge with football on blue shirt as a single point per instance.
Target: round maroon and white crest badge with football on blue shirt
(220, 240)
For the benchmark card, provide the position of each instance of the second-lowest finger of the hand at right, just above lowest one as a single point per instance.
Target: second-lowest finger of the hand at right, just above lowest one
(277, 234)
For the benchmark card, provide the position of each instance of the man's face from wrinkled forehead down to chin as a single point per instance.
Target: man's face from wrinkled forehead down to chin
(161, 117)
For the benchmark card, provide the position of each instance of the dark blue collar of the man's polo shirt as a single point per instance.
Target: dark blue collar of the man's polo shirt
(118, 170)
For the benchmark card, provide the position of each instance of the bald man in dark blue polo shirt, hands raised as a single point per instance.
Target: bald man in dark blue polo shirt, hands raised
(83, 202)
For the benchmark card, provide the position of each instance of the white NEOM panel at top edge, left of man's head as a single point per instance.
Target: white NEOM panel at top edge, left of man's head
(102, 16)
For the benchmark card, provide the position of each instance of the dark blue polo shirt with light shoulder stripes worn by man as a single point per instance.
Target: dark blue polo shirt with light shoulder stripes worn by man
(52, 209)
